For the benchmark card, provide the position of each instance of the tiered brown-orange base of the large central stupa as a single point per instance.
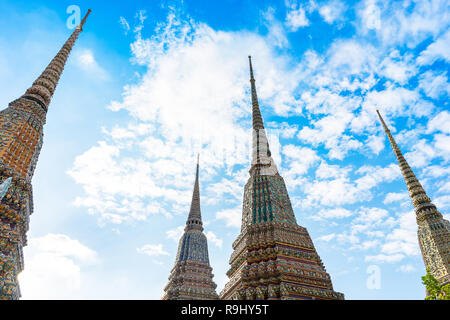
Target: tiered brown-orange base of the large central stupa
(277, 261)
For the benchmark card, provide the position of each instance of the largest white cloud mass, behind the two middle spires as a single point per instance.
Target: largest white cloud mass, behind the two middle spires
(179, 81)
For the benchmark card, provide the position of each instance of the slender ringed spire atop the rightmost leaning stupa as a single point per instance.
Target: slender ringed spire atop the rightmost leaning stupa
(418, 195)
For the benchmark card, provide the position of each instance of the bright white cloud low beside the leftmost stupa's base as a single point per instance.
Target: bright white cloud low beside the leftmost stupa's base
(55, 266)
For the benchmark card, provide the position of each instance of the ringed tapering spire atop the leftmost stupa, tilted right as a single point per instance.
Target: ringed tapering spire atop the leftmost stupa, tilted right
(44, 86)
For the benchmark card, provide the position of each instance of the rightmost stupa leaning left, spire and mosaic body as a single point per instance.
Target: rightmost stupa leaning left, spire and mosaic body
(433, 230)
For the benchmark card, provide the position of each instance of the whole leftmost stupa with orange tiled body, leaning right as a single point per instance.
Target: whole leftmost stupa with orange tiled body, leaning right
(21, 138)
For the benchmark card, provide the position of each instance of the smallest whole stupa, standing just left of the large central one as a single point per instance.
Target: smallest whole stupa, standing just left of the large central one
(191, 278)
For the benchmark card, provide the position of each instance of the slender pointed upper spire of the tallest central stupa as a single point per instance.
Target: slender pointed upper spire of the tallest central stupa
(262, 162)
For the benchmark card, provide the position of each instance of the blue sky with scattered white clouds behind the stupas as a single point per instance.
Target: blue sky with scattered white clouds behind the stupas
(150, 84)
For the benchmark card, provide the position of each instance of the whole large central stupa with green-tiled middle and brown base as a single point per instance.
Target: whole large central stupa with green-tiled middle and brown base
(273, 257)
